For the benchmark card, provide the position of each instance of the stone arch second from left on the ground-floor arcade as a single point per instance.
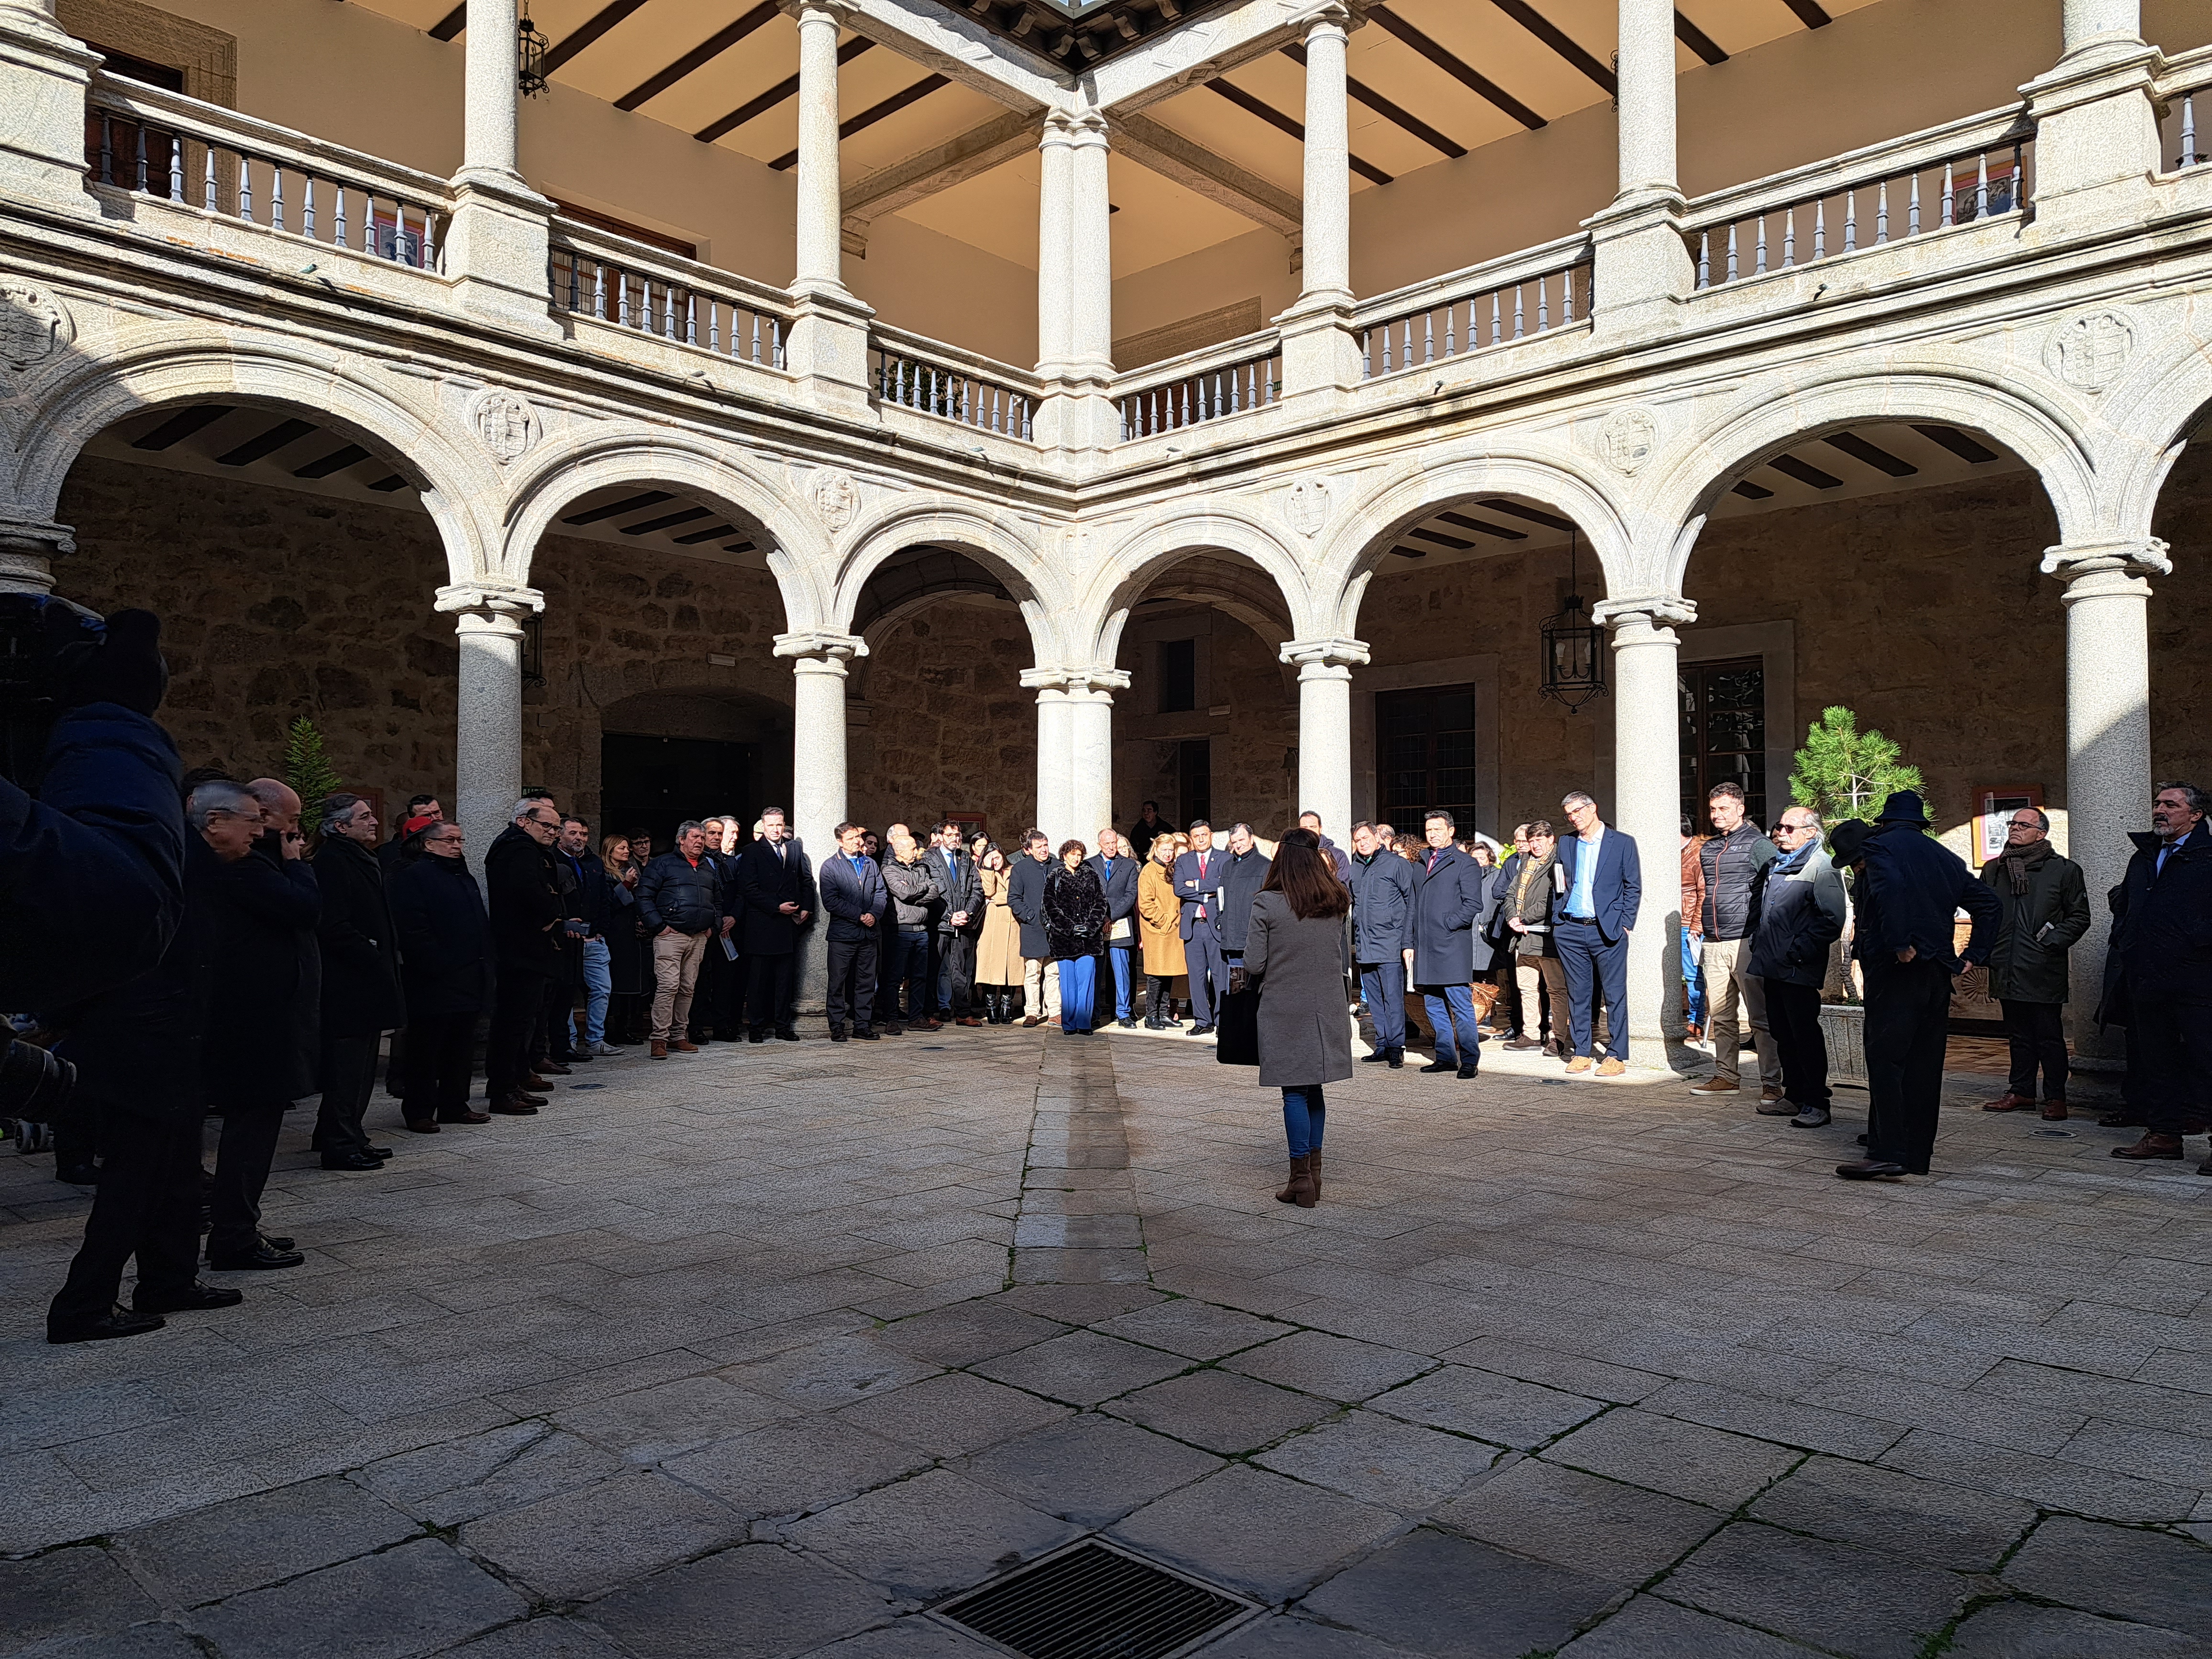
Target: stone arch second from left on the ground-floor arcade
(561, 474)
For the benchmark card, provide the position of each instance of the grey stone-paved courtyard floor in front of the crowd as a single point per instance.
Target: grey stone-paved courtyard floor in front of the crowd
(775, 1350)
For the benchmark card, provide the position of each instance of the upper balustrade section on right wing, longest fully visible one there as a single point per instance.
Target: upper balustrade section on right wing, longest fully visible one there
(1957, 176)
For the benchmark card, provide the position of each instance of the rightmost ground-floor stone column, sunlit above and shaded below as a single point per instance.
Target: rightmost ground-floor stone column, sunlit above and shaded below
(2107, 740)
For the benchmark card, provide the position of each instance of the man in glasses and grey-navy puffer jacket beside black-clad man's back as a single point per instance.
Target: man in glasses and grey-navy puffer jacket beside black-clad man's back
(1795, 915)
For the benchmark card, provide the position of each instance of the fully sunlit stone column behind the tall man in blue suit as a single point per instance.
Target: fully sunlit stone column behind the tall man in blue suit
(1647, 786)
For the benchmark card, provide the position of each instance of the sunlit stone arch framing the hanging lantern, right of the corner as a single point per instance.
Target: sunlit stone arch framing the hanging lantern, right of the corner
(1426, 488)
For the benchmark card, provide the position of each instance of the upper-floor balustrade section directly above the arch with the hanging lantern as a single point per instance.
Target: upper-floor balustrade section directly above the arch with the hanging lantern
(1472, 311)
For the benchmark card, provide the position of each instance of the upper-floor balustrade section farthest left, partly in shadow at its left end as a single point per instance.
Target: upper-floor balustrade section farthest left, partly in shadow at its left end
(198, 156)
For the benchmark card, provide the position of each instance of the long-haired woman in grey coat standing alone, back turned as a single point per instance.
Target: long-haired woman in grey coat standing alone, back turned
(1295, 954)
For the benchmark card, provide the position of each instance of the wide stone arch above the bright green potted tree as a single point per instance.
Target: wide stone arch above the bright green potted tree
(2032, 421)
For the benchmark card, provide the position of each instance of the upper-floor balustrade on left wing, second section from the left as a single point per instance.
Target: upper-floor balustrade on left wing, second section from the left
(620, 282)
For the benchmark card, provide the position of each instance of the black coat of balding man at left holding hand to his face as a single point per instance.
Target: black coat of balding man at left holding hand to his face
(269, 981)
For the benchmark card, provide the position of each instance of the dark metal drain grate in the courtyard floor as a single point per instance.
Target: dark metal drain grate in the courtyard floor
(1096, 1605)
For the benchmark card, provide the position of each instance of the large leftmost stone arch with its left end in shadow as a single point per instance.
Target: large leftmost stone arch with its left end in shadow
(85, 397)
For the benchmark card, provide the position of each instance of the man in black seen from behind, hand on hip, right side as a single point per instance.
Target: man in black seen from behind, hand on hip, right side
(1908, 893)
